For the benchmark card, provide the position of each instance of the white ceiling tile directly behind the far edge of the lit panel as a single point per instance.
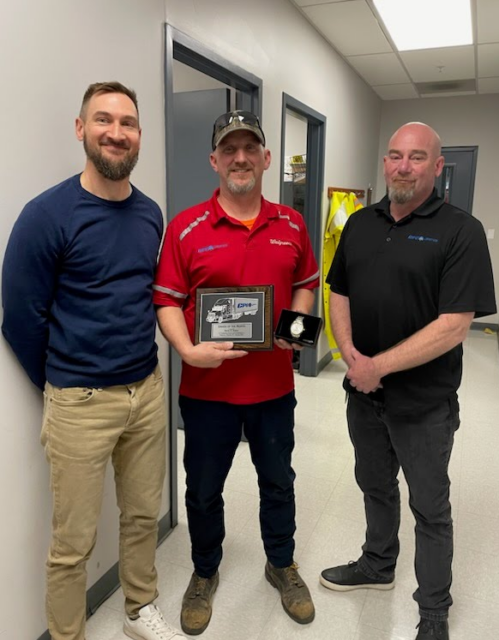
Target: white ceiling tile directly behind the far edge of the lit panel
(440, 65)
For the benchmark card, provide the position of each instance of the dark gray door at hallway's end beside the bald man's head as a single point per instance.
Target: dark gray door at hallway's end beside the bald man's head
(457, 182)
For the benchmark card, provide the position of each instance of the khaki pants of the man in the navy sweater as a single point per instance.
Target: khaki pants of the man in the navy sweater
(82, 429)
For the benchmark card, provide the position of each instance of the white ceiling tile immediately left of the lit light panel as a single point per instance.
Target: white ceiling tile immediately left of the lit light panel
(350, 26)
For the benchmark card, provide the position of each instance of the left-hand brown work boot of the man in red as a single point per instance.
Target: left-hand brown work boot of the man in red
(196, 604)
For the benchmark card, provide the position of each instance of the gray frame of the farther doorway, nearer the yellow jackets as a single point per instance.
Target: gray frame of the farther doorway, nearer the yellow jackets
(314, 187)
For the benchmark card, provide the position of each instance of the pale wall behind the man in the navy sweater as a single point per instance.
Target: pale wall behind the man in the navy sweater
(50, 52)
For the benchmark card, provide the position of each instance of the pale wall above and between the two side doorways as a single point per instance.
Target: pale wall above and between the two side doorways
(272, 40)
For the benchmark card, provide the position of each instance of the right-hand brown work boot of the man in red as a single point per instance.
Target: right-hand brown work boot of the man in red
(295, 596)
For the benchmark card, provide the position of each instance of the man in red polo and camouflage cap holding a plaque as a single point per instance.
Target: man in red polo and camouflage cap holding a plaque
(237, 238)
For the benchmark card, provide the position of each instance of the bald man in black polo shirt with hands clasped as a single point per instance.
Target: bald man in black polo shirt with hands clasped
(409, 276)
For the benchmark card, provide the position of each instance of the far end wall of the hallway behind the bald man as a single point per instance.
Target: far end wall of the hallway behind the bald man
(462, 121)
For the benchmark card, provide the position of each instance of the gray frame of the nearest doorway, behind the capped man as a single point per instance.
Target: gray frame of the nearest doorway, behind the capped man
(183, 48)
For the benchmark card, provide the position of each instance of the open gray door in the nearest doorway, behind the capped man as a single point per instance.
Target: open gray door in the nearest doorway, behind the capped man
(194, 113)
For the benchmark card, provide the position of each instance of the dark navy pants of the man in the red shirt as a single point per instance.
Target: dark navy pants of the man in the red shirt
(212, 434)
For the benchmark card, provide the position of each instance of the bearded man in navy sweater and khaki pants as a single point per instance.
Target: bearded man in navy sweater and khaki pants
(79, 315)
